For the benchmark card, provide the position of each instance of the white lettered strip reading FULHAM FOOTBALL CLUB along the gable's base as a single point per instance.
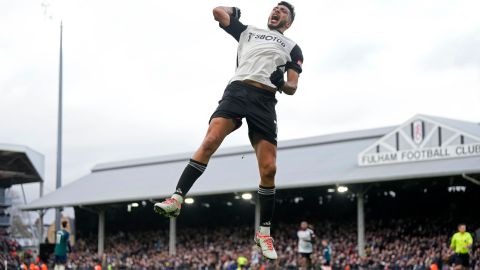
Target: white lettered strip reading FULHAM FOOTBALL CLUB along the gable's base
(425, 154)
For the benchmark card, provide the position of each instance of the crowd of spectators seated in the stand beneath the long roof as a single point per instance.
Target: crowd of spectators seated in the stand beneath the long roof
(397, 244)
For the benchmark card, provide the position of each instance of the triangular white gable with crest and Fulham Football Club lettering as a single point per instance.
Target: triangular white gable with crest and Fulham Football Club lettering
(422, 138)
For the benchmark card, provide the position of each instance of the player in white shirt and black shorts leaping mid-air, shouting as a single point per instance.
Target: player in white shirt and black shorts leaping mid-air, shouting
(263, 56)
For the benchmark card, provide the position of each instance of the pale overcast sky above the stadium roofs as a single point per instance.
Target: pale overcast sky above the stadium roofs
(141, 78)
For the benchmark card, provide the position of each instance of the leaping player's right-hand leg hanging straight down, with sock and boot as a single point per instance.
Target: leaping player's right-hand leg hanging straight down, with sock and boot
(266, 153)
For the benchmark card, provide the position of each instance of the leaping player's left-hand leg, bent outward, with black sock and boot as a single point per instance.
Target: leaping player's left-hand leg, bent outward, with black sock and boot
(218, 129)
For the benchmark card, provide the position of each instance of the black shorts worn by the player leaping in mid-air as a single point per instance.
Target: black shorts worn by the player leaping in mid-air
(241, 100)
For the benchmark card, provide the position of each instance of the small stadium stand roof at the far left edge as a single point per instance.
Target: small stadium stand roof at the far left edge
(20, 165)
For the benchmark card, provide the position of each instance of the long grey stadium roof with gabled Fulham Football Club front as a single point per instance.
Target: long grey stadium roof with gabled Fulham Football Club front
(364, 156)
